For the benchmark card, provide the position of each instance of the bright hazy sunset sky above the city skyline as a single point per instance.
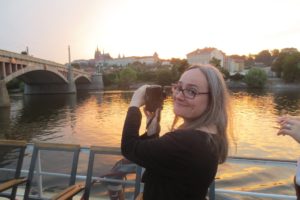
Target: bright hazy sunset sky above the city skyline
(172, 28)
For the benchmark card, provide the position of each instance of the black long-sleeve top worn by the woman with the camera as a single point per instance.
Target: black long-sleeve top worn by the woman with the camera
(179, 165)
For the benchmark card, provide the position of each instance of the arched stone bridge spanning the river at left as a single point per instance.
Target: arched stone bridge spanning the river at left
(43, 76)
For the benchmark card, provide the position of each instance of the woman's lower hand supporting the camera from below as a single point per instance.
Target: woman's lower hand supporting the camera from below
(153, 120)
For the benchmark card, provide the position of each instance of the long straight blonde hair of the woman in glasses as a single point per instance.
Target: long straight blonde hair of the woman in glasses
(217, 109)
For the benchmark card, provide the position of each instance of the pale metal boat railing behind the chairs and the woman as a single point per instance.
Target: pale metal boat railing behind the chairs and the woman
(138, 185)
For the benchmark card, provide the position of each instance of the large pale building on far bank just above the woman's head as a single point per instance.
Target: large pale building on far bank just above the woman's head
(204, 56)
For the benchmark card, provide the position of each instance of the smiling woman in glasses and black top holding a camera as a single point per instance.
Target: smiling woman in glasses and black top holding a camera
(182, 163)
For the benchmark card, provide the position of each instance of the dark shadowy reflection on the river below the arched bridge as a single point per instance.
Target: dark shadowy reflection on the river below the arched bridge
(35, 115)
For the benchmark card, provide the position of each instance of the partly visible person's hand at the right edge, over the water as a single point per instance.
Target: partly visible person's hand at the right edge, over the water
(290, 126)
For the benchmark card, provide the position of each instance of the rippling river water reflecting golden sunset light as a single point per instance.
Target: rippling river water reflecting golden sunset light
(97, 119)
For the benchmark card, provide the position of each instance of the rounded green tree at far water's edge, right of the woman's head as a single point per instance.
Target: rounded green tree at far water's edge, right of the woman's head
(256, 78)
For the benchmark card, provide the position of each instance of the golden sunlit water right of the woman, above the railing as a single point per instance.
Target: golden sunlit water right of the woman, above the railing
(255, 123)
